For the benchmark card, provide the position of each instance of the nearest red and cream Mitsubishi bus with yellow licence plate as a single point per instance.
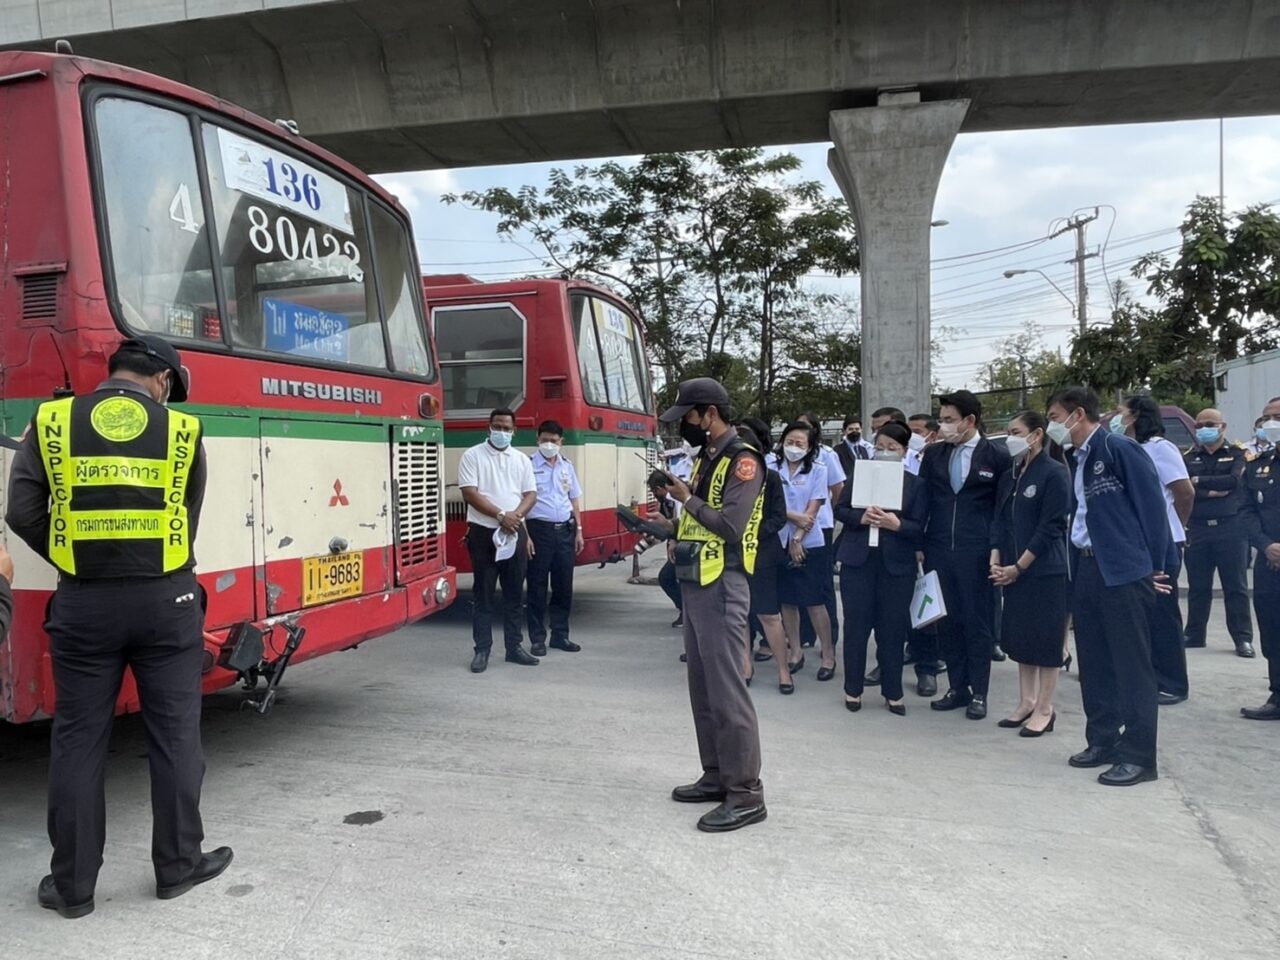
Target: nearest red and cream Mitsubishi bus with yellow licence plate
(289, 282)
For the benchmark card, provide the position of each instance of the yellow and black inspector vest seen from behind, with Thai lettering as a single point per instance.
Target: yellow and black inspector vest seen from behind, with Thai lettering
(117, 474)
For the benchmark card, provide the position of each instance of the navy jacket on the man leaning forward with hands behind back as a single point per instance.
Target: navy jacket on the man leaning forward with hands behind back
(1126, 514)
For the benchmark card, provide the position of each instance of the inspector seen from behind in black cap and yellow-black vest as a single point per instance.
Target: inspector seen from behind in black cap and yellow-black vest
(108, 488)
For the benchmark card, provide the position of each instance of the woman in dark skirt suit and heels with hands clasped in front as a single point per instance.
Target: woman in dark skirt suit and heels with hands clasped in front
(1028, 560)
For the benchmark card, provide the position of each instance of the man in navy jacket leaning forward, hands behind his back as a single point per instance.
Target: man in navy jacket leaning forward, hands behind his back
(1119, 548)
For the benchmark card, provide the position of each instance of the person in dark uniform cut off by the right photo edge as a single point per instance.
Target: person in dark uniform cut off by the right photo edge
(1263, 522)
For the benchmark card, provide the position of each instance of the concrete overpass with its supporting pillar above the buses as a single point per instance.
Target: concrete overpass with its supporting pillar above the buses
(395, 85)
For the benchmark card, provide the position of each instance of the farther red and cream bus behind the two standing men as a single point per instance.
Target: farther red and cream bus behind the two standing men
(550, 350)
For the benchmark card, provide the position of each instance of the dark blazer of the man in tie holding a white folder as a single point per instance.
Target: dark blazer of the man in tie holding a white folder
(963, 522)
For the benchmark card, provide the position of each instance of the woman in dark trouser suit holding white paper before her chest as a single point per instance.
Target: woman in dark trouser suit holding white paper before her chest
(876, 583)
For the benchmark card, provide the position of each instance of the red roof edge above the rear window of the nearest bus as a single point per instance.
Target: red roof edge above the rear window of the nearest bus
(72, 70)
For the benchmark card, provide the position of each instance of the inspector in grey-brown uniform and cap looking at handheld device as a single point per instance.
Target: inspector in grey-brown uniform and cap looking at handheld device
(716, 547)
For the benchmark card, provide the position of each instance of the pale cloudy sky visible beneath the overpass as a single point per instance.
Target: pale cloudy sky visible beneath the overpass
(1000, 195)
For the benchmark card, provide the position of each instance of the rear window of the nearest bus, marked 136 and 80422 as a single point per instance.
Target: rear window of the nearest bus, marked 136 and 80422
(276, 257)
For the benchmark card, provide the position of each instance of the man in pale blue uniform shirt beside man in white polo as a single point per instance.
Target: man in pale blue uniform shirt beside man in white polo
(555, 541)
